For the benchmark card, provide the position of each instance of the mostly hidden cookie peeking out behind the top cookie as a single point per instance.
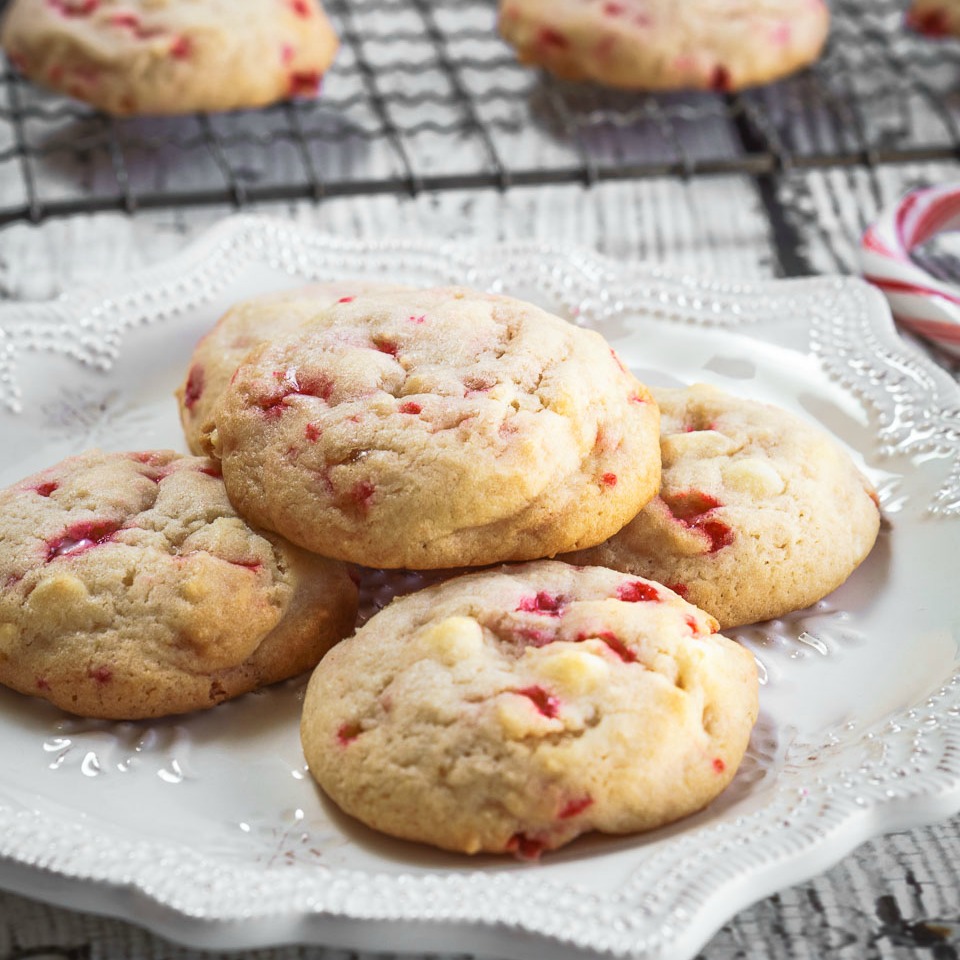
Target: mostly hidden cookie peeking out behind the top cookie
(242, 327)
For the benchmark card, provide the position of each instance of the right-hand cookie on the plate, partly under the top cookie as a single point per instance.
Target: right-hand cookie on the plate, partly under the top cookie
(759, 513)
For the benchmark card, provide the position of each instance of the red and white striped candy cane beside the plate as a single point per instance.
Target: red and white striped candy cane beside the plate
(920, 302)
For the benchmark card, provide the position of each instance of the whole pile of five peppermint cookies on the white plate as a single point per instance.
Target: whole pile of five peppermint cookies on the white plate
(573, 680)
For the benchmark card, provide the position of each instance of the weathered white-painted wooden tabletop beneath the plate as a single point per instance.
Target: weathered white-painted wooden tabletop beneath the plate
(896, 897)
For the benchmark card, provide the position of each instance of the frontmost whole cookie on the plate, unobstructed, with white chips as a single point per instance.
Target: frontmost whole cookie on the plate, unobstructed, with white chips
(514, 709)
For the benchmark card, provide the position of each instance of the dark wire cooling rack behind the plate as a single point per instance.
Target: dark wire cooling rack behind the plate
(425, 96)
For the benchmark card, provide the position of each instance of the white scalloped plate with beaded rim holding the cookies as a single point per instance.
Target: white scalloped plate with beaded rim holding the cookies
(207, 829)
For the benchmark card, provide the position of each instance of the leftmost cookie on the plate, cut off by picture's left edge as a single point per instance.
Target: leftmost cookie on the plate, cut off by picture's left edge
(132, 589)
